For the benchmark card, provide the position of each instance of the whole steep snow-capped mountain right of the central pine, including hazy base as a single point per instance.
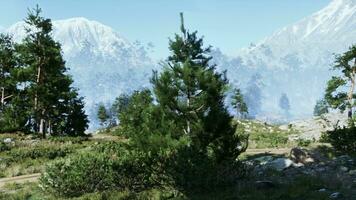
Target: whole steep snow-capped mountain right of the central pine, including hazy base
(296, 59)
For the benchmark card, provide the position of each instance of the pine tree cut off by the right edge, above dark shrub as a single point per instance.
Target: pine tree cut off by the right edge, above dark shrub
(335, 94)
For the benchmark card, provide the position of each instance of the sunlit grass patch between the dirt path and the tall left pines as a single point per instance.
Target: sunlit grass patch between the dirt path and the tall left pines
(27, 156)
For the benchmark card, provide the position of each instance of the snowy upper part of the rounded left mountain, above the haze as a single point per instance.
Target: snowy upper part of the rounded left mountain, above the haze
(80, 35)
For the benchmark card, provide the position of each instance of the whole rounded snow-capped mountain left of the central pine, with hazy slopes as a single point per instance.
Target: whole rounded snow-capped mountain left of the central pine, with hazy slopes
(102, 62)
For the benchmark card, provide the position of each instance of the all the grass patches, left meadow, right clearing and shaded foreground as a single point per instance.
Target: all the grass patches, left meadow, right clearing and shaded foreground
(26, 156)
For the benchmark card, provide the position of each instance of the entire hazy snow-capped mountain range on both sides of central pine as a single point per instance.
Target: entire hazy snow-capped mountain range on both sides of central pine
(294, 60)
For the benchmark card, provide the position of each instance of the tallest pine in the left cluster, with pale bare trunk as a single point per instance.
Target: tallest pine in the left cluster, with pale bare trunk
(43, 75)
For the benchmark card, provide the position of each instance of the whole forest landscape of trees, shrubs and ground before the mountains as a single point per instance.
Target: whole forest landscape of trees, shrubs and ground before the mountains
(190, 135)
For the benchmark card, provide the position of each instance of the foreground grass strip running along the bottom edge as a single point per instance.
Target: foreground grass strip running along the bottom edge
(302, 187)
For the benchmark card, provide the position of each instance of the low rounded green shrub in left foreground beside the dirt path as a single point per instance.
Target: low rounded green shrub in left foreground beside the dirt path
(79, 174)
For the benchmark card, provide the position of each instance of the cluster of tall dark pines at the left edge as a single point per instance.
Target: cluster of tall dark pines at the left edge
(36, 91)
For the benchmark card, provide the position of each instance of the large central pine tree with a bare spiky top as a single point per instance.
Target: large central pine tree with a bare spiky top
(191, 93)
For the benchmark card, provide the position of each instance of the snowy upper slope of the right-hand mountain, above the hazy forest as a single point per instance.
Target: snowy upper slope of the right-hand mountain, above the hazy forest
(310, 42)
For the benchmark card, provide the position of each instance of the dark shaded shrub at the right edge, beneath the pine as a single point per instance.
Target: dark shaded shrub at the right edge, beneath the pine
(342, 139)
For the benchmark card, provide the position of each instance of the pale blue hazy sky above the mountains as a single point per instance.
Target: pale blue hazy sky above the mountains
(227, 24)
